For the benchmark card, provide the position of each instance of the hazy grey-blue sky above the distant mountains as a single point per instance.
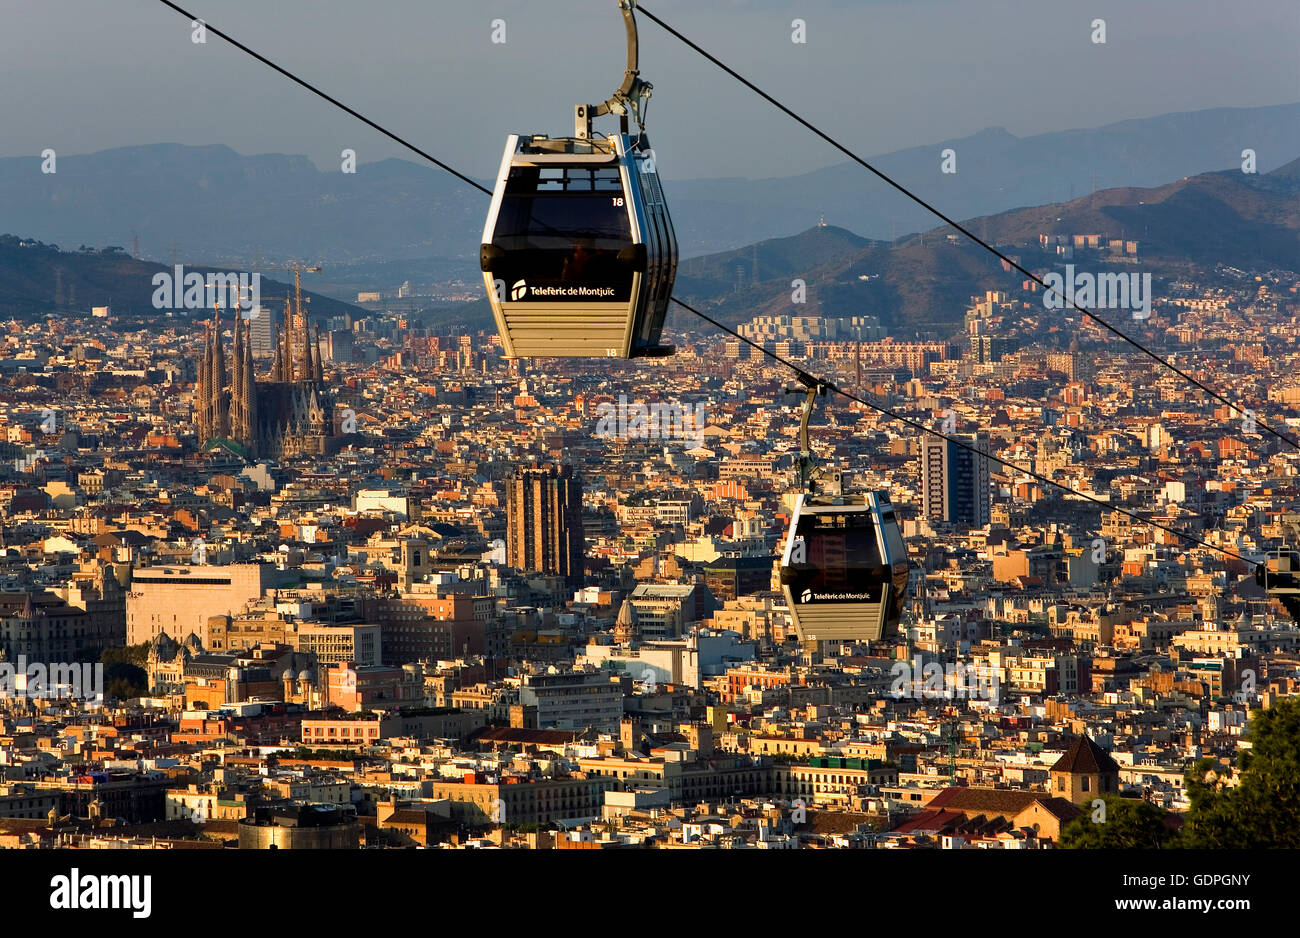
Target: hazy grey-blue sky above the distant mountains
(83, 76)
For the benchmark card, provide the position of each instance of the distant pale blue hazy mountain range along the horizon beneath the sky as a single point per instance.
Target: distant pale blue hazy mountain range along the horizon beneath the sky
(210, 205)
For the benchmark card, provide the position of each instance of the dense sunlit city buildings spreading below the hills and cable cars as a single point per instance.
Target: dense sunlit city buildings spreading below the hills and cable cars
(480, 620)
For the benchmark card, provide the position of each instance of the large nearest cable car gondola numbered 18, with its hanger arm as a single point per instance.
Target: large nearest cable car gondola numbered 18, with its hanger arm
(579, 254)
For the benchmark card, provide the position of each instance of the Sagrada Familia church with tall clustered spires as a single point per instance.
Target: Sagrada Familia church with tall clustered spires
(291, 415)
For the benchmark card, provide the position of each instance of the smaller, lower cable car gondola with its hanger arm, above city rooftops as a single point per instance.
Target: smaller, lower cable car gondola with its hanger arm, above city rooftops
(846, 570)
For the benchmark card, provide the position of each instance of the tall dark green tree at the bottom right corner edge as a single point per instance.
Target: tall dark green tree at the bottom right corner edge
(1258, 806)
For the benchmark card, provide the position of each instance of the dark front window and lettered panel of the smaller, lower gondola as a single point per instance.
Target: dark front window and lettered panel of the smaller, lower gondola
(842, 555)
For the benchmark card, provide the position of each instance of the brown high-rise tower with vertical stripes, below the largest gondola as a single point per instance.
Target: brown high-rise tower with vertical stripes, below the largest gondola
(545, 513)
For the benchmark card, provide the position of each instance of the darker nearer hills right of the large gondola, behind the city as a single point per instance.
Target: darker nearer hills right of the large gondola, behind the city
(925, 283)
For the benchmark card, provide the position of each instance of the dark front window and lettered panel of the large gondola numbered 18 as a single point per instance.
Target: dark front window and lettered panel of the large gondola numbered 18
(562, 231)
